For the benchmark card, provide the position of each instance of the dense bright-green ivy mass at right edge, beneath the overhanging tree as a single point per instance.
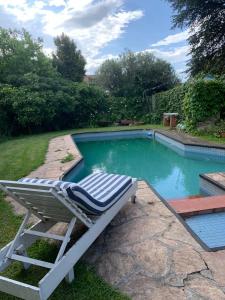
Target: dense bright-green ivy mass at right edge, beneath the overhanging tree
(204, 99)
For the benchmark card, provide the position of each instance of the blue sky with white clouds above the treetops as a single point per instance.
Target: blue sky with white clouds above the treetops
(102, 29)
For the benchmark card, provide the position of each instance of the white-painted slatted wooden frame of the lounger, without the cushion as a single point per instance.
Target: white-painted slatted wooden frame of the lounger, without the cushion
(50, 205)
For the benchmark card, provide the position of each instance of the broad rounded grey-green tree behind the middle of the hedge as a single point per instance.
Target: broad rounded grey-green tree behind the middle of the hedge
(136, 74)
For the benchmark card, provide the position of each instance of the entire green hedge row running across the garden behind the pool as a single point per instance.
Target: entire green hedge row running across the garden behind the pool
(44, 104)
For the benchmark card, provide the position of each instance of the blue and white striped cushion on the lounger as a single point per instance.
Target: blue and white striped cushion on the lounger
(95, 193)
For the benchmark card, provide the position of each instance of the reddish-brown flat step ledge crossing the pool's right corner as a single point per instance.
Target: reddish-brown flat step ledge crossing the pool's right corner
(199, 205)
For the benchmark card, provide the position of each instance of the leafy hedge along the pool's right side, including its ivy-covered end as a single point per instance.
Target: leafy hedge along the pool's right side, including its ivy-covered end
(195, 101)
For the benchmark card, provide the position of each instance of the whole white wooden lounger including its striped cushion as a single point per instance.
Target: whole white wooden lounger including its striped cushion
(94, 201)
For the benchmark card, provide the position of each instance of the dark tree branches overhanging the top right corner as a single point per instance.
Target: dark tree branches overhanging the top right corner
(206, 21)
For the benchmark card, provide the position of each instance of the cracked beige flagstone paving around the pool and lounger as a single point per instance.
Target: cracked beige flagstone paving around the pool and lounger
(146, 252)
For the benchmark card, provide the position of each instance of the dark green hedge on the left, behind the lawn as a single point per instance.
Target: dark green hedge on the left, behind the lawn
(49, 105)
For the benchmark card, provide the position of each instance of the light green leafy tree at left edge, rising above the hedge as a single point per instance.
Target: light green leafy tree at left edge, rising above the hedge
(21, 55)
